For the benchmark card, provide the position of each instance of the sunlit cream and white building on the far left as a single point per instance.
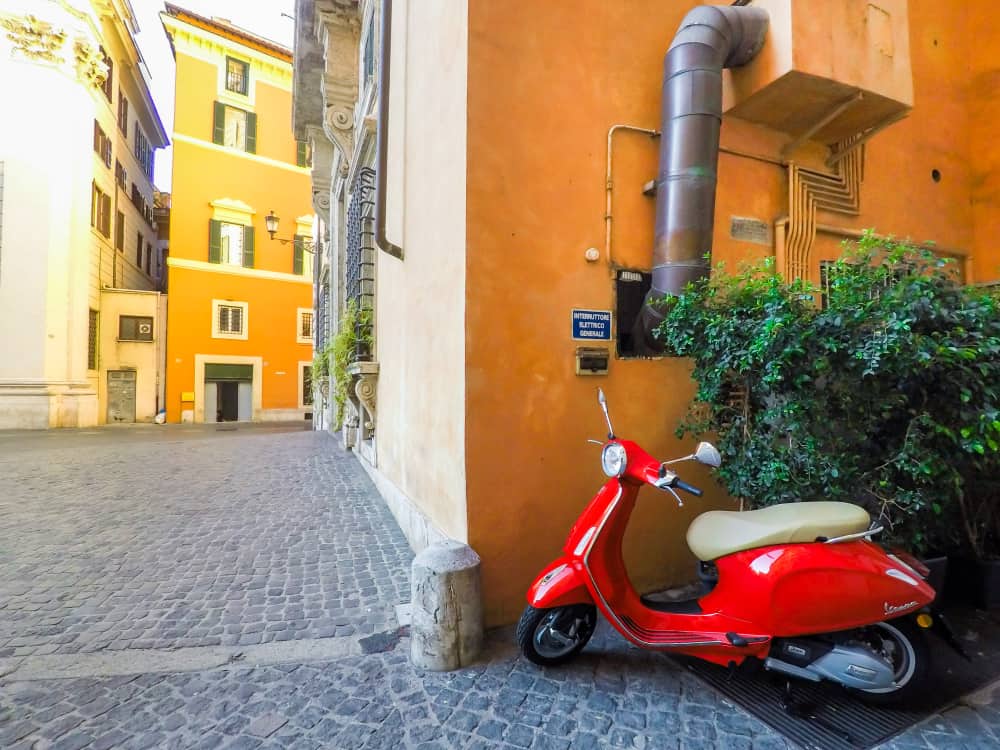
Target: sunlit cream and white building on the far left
(76, 212)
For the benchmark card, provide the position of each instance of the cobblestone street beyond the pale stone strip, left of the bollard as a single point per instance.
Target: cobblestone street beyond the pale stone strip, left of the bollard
(152, 539)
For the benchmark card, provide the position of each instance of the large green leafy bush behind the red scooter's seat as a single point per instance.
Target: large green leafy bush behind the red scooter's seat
(887, 395)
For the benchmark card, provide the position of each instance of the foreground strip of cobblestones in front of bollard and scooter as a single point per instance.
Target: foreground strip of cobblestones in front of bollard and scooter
(614, 696)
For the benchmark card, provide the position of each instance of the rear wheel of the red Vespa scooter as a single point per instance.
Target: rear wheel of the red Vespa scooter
(905, 644)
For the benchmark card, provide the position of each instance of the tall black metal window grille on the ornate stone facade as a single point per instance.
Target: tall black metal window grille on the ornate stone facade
(359, 266)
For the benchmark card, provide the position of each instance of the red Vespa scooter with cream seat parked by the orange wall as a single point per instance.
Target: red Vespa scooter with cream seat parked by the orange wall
(800, 587)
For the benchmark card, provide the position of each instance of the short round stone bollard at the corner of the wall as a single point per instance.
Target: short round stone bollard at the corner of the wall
(446, 629)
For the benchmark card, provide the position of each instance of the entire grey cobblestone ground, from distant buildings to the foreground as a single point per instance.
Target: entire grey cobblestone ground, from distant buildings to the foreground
(198, 588)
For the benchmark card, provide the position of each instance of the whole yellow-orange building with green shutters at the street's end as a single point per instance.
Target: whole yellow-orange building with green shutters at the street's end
(239, 345)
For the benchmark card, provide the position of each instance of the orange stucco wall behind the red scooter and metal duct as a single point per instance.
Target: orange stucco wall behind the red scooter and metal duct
(546, 82)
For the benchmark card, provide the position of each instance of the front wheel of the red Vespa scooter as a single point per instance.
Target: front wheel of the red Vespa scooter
(555, 636)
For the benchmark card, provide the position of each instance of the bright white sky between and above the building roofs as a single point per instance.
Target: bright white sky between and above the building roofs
(262, 17)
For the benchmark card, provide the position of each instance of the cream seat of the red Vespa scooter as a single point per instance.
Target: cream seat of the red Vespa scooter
(721, 532)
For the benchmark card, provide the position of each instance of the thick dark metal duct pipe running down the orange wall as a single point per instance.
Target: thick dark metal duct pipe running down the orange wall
(710, 38)
